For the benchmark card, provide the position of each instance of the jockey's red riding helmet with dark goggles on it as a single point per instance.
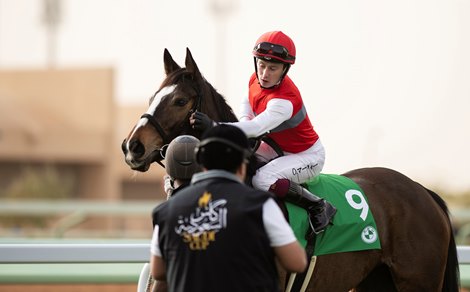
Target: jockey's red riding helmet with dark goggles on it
(275, 45)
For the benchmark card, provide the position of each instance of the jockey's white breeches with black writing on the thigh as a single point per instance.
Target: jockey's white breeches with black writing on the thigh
(297, 167)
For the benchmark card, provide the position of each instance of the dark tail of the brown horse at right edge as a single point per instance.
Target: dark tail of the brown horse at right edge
(452, 274)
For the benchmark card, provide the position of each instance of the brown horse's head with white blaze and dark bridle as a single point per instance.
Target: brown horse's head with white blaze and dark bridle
(183, 91)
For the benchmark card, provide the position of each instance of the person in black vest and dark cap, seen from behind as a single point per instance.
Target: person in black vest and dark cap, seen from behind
(218, 234)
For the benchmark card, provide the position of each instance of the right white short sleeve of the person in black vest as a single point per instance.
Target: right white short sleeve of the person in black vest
(279, 231)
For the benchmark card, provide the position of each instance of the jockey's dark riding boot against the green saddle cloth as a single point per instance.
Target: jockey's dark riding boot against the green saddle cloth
(320, 211)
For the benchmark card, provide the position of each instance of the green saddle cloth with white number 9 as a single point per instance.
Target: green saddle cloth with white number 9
(353, 226)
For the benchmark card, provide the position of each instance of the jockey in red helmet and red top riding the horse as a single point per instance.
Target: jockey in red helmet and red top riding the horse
(274, 107)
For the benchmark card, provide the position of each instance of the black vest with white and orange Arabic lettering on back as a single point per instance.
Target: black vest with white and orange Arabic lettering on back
(212, 238)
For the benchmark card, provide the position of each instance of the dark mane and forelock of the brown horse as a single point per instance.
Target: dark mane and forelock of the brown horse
(212, 102)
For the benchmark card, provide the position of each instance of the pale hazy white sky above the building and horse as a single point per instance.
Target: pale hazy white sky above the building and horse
(385, 83)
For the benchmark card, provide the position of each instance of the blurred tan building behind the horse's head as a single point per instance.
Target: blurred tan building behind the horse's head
(68, 120)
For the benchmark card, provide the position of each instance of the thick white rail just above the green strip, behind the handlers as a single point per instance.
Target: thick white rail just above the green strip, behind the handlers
(101, 253)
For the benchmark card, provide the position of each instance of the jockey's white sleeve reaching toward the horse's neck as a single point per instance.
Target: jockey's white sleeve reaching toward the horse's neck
(277, 111)
